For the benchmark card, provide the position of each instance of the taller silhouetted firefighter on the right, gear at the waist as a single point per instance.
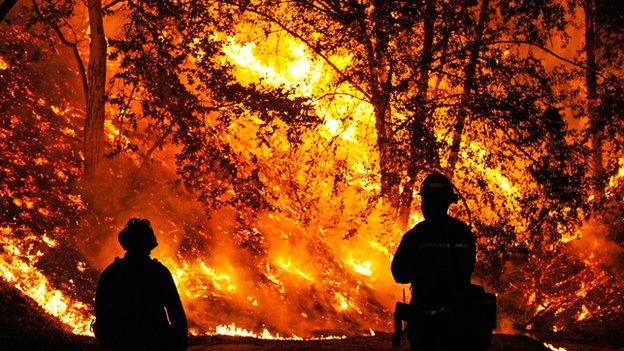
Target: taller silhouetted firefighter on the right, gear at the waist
(437, 257)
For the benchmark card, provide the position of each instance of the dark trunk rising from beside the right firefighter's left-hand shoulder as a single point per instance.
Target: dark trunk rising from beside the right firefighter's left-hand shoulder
(422, 137)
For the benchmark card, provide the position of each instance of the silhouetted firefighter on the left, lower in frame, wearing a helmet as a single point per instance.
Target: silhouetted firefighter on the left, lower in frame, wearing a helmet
(137, 306)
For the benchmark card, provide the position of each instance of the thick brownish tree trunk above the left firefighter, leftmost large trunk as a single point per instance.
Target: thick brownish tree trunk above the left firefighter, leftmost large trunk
(96, 97)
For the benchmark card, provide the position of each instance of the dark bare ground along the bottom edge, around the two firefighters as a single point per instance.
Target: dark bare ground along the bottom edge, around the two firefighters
(25, 326)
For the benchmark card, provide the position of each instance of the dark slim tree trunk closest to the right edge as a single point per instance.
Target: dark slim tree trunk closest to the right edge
(592, 93)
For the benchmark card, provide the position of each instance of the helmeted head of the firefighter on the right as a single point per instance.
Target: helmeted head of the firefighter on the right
(437, 195)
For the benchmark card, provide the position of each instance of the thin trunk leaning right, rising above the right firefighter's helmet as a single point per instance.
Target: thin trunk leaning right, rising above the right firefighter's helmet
(469, 87)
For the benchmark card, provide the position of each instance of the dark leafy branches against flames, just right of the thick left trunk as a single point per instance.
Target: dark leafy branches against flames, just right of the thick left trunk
(190, 96)
